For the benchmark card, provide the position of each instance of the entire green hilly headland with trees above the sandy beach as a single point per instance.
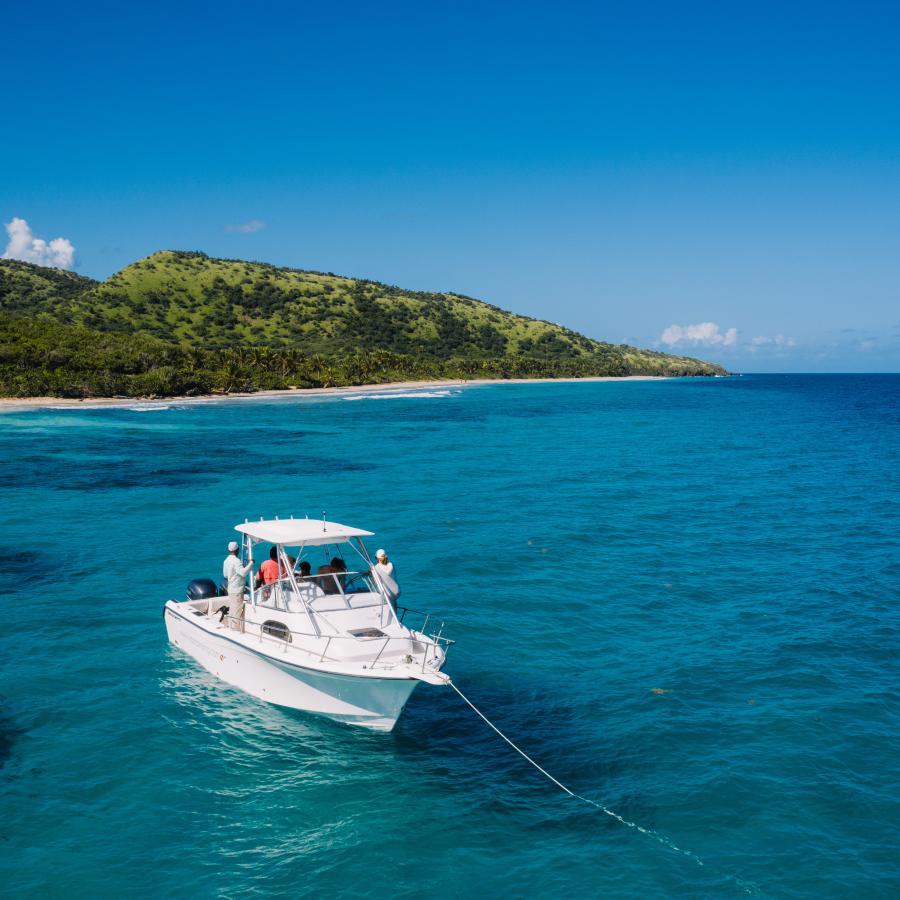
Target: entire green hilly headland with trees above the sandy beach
(180, 322)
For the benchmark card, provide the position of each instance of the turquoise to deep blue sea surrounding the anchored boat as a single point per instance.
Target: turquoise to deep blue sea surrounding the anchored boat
(731, 543)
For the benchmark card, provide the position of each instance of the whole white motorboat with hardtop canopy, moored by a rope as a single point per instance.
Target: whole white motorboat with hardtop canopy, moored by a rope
(332, 644)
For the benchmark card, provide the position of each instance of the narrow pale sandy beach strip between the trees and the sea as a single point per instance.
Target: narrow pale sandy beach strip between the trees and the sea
(9, 404)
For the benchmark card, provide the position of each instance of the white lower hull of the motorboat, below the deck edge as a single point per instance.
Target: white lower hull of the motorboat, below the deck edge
(370, 702)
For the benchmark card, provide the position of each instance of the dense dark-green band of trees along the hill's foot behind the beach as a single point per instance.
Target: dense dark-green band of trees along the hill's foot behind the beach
(43, 358)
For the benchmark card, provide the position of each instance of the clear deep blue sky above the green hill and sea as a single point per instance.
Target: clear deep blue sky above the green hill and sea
(713, 180)
